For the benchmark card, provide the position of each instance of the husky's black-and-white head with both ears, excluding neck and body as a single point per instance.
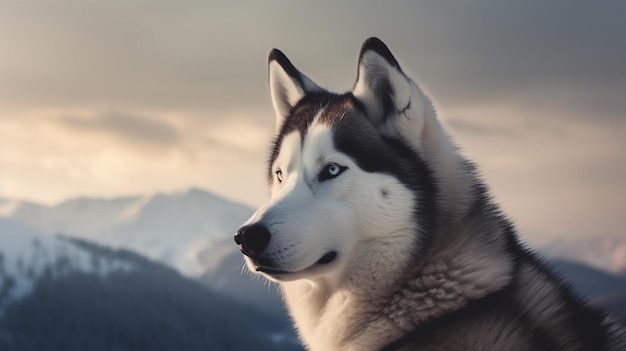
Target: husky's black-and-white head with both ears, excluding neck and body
(346, 173)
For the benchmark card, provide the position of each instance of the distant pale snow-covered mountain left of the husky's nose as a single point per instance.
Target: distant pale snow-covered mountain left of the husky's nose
(190, 231)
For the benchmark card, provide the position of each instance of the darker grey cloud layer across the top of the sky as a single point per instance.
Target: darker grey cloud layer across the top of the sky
(189, 56)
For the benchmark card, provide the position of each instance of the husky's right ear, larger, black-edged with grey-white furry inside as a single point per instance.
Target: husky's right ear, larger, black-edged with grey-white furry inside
(393, 103)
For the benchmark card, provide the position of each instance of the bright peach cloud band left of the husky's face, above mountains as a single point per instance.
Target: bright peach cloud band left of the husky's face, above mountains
(48, 158)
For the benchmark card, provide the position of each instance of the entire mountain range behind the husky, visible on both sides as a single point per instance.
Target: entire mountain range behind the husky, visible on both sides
(82, 251)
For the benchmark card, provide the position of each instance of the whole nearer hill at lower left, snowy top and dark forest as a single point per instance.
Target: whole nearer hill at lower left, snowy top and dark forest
(71, 294)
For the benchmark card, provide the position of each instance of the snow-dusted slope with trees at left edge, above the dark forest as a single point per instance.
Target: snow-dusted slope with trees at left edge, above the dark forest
(27, 254)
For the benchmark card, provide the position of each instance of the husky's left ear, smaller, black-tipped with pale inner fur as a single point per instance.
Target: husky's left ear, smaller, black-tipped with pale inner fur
(287, 85)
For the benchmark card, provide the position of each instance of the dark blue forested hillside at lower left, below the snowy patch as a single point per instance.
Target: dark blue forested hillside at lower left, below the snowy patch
(151, 307)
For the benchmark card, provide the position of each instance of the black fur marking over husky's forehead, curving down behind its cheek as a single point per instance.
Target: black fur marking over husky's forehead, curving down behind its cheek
(357, 137)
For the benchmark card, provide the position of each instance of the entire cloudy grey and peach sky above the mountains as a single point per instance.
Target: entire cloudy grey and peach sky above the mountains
(109, 98)
